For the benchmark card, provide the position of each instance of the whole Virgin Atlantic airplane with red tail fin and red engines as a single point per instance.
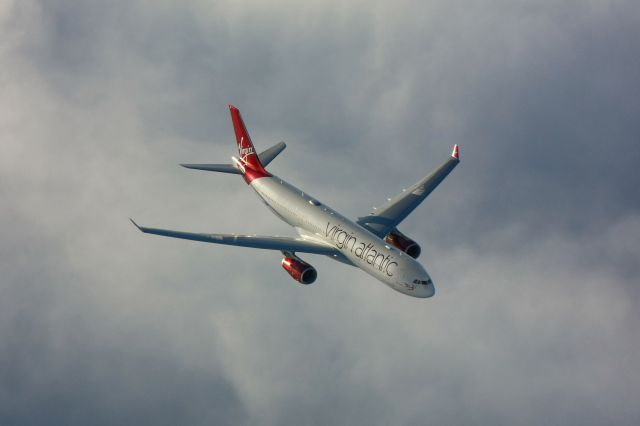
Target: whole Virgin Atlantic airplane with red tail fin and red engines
(372, 243)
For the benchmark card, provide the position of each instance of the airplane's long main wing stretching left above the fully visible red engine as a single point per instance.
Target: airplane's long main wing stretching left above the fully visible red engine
(253, 241)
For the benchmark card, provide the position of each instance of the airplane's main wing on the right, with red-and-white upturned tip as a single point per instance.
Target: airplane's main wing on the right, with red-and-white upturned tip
(384, 219)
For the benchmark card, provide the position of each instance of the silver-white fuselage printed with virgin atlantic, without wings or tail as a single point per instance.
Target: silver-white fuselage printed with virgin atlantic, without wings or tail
(358, 247)
